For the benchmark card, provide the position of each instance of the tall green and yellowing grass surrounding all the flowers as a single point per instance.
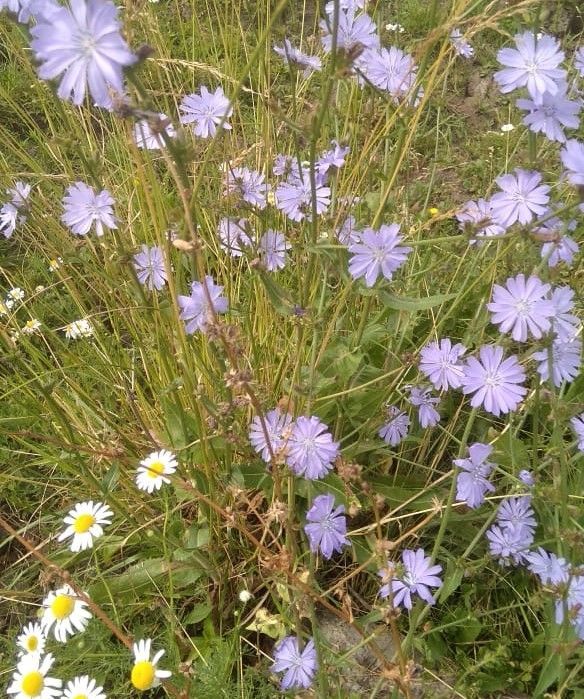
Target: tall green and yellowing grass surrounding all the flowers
(76, 417)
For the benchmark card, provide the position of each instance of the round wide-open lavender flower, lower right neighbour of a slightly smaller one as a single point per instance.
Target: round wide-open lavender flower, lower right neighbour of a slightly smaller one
(494, 381)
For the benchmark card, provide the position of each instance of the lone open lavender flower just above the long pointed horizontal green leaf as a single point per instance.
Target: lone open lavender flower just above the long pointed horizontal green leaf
(377, 252)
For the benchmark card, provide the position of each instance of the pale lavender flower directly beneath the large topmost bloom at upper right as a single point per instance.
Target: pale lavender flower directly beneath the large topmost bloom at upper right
(551, 114)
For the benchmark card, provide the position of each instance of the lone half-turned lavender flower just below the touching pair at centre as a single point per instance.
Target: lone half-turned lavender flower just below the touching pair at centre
(327, 527)
